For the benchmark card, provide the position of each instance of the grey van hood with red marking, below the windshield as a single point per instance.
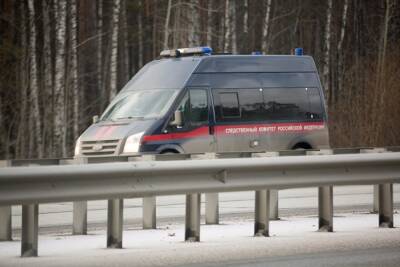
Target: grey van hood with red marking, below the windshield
(109, 130)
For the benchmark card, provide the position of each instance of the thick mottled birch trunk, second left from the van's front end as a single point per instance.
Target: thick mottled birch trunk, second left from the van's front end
(59, 87)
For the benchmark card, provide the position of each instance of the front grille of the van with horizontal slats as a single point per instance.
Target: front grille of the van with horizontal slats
(99, 148)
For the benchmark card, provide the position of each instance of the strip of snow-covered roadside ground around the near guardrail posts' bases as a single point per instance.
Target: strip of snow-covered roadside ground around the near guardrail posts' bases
(226, 243)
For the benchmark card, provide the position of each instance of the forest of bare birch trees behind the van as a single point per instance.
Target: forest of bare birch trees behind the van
(61, 61)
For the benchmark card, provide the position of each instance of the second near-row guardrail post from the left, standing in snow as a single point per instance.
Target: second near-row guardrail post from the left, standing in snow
(115, 218)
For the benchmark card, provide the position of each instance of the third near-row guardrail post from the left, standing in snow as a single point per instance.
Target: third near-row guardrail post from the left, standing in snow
(192, 220)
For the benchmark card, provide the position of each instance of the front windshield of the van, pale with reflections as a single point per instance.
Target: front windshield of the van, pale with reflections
(141, 104)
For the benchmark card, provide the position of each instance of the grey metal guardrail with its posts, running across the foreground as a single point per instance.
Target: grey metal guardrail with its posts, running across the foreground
(151, 175)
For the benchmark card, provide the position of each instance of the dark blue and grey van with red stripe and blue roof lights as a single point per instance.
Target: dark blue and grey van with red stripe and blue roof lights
(193, 101)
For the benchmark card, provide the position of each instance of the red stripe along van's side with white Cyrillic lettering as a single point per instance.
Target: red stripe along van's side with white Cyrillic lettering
(239, 129)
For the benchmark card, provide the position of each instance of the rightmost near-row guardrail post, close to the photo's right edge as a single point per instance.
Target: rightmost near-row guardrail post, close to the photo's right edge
(386, 205)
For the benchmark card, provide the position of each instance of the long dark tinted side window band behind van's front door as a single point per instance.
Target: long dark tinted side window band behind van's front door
(268, 104)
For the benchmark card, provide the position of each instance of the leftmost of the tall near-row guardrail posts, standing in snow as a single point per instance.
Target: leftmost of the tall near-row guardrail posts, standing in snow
(29, 231)
